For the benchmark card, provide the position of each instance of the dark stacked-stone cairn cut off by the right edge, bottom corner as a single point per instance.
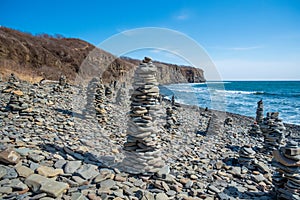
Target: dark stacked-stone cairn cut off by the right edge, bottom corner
(286, 180)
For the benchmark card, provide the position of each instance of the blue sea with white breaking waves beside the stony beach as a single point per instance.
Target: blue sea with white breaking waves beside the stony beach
(241, 97)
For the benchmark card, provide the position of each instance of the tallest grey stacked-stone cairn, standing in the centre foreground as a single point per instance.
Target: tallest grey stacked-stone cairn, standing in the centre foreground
(142, 151)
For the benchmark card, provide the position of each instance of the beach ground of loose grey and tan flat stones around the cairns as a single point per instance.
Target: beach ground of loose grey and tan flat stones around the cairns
(52, 147)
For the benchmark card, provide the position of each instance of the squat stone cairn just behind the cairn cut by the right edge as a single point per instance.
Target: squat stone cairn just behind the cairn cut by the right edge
(273, 131)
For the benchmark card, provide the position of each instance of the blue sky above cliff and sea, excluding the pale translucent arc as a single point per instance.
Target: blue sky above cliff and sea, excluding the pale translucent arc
(246, 39)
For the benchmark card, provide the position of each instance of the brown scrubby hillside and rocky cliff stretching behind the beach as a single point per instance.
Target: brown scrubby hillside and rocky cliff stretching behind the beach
(35, 57)
